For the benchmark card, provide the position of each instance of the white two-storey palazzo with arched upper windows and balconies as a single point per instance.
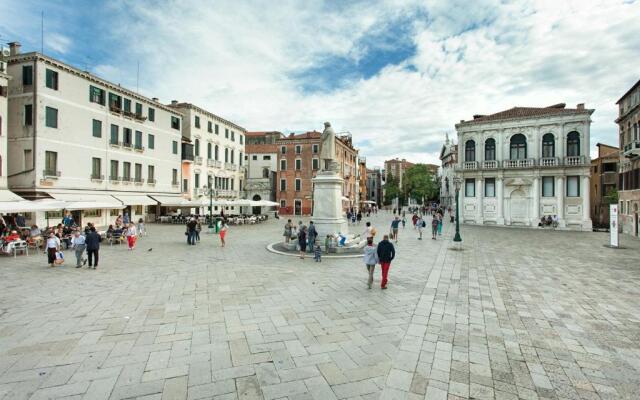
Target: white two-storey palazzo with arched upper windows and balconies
(523, 163)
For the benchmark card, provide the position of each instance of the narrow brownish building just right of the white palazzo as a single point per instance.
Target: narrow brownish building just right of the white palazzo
(604, 182)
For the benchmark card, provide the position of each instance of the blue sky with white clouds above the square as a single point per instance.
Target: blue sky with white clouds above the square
(396, 74)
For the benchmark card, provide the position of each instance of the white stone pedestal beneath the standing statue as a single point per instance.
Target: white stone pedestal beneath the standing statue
(327, 205)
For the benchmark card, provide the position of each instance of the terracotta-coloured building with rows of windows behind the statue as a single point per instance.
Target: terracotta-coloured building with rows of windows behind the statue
(298, 163)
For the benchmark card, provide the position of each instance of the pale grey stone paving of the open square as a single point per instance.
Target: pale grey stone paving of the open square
(515, 315)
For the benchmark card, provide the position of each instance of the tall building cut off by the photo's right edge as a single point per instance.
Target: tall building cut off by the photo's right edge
(629, 180)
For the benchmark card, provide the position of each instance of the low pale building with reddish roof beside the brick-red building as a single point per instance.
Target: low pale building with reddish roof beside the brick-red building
(261, 161)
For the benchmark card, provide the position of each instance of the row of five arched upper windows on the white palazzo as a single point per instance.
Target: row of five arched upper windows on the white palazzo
(518, 147)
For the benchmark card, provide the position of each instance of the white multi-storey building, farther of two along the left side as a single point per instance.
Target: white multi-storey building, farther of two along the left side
(218, 155)
